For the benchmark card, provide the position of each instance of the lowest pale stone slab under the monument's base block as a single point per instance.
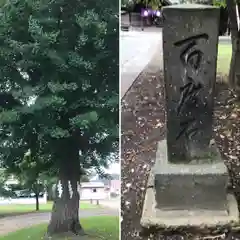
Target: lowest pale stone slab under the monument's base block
(155, 217)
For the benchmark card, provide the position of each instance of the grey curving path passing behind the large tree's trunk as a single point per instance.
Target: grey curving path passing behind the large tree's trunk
(11, 224)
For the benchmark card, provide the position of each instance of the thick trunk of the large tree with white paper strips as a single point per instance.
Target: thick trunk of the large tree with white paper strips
(65, 212)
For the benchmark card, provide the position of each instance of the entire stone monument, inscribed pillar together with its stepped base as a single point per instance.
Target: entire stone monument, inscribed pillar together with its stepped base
(188, 183)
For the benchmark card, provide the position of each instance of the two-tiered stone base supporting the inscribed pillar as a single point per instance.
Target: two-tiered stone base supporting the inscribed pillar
(188, 195)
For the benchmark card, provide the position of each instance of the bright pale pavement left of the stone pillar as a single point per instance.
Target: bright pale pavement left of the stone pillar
(136, 50)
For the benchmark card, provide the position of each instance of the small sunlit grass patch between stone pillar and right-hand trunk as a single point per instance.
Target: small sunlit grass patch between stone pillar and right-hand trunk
(224, 58)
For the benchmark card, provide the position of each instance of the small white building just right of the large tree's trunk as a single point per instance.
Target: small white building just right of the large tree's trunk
(92, 191)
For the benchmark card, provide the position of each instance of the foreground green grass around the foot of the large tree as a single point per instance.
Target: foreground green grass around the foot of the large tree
(102, 227)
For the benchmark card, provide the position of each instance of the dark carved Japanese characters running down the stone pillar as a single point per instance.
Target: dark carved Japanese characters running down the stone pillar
(190, 92)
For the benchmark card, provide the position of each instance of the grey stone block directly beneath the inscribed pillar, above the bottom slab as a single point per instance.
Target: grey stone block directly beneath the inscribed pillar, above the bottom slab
(189, 186)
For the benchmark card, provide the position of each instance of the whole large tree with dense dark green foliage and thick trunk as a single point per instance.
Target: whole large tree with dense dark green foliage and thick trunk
(59, 91)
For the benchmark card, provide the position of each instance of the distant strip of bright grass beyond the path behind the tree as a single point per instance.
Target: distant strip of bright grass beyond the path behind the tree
(16, 209)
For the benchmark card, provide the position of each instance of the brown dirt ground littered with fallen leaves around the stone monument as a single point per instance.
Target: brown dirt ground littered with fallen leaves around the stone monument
(143, 125)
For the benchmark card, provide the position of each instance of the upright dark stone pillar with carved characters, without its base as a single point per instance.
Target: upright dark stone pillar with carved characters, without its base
(190, 38)
